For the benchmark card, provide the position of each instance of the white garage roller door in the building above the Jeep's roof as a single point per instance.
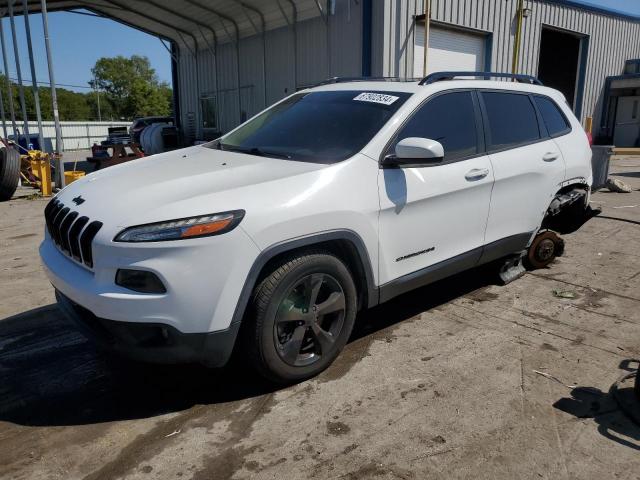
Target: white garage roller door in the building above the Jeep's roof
(449, 50)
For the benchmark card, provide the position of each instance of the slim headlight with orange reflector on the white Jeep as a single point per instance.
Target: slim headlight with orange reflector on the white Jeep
(193, 227)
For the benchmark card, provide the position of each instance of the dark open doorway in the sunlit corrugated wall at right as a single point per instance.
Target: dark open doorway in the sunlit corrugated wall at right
(559, 62)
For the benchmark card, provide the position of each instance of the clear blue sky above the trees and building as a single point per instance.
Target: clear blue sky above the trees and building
(79, 40)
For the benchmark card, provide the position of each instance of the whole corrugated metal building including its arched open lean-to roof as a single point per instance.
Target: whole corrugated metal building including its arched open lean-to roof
(234, 57)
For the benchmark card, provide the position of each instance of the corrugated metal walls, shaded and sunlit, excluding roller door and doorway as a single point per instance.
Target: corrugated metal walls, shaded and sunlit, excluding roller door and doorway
(315, 50)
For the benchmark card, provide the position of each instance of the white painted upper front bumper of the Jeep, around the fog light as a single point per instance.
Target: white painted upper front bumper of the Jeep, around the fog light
(203, 278)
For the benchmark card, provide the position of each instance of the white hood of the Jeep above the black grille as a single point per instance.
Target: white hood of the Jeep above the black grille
(175, 184)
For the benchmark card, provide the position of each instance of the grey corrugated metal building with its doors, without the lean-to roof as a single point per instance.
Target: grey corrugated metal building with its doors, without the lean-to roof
(385, 38)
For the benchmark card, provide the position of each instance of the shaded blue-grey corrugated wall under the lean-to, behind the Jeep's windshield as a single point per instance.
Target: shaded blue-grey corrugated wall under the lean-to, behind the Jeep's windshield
(295, 58)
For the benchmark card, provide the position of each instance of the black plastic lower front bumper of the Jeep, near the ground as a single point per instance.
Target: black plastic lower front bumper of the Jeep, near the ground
(152, 342)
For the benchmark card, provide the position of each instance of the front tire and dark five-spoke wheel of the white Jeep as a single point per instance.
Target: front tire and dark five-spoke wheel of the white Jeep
(301, 317)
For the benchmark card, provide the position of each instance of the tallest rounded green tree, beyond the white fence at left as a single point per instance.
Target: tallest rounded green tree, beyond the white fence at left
(131, 87)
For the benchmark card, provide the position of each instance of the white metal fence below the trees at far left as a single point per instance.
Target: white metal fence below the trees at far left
(75, 135)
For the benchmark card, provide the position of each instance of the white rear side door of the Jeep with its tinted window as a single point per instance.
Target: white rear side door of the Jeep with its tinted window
(528, 167)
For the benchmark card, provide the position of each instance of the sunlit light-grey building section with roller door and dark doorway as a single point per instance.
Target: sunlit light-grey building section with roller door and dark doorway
(568, 45)
